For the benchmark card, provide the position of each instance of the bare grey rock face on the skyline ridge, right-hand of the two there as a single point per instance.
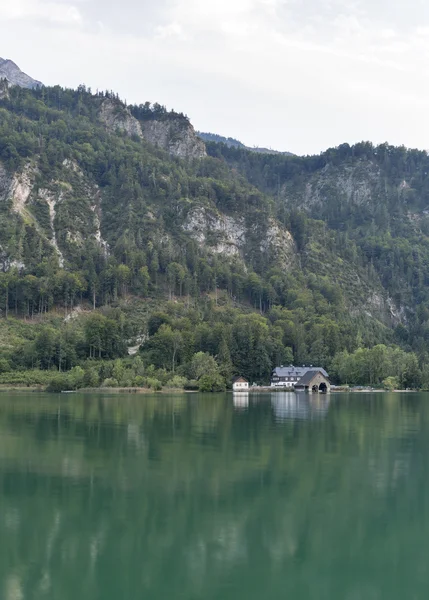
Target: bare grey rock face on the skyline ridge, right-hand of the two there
(176, 135)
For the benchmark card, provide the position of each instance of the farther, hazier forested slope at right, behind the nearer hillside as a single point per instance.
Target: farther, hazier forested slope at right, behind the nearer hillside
(374, 202)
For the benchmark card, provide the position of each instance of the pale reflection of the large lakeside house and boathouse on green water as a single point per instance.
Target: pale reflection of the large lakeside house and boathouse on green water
(289, 405)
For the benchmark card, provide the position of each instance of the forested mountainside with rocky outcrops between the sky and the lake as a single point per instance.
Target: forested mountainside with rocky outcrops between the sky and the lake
(117, 231)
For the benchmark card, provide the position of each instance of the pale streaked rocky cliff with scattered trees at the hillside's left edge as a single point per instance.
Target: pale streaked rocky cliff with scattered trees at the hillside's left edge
(59, 216)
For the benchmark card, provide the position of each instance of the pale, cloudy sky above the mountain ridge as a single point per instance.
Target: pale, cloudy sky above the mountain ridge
(296, 75)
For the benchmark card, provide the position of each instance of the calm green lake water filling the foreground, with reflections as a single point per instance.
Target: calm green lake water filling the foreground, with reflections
(214, 497)
